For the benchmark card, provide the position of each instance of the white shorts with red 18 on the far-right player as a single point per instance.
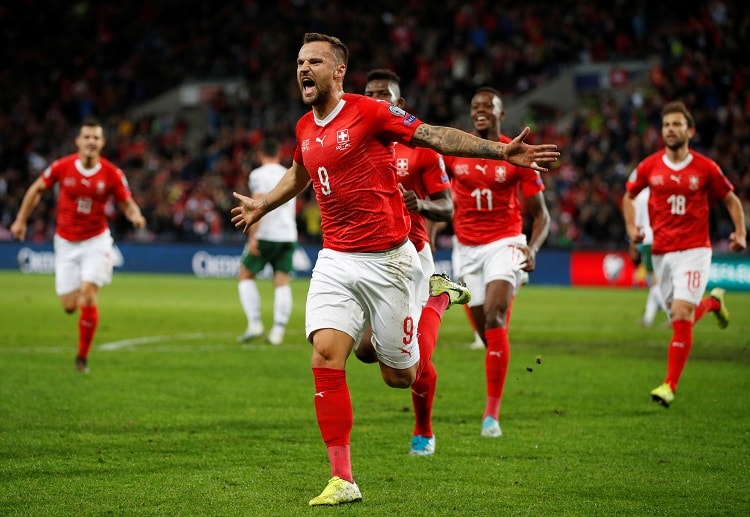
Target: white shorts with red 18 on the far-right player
(683, 275)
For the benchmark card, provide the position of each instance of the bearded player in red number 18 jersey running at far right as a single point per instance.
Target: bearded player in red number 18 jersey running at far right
(682, 182)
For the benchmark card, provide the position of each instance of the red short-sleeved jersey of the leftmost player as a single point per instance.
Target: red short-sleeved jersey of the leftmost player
(83, 195)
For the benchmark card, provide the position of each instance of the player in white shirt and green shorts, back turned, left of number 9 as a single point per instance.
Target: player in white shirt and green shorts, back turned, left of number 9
(273, 241)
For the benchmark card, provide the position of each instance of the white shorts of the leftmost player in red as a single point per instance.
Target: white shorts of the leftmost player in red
(83, 261)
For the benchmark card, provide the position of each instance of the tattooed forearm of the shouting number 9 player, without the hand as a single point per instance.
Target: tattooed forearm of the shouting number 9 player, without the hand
(453, 142)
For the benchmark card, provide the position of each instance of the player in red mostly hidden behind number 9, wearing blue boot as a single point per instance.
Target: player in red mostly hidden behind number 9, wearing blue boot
(426, 189)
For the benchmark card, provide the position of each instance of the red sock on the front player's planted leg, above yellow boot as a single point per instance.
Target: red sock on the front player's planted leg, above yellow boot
(333, 408)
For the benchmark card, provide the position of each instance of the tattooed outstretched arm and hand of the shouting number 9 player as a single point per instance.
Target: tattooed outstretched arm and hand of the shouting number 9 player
(454, 142)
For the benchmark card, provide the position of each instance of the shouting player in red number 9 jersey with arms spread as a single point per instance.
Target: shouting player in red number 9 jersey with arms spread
(368, 272)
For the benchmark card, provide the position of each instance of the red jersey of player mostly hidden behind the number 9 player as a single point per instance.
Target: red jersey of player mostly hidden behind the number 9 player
(423, 171)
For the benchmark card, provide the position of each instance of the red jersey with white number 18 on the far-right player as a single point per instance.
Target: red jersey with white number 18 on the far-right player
(678, 205)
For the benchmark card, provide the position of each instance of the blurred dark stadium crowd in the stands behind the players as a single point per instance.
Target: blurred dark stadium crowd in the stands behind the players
(65, 61)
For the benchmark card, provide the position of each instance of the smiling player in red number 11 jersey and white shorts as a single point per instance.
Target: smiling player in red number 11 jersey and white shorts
(493, 252)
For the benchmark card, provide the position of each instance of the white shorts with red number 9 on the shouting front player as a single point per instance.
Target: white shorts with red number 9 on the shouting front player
(349, 291)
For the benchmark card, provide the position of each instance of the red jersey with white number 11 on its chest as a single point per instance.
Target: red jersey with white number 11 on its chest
(485, 197)
